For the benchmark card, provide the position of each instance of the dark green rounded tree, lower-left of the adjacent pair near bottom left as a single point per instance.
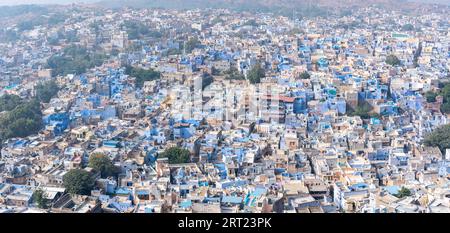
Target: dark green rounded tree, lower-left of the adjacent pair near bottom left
(78, 181)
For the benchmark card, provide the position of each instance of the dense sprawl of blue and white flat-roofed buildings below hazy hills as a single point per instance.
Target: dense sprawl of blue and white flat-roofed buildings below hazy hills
(160, 110)
